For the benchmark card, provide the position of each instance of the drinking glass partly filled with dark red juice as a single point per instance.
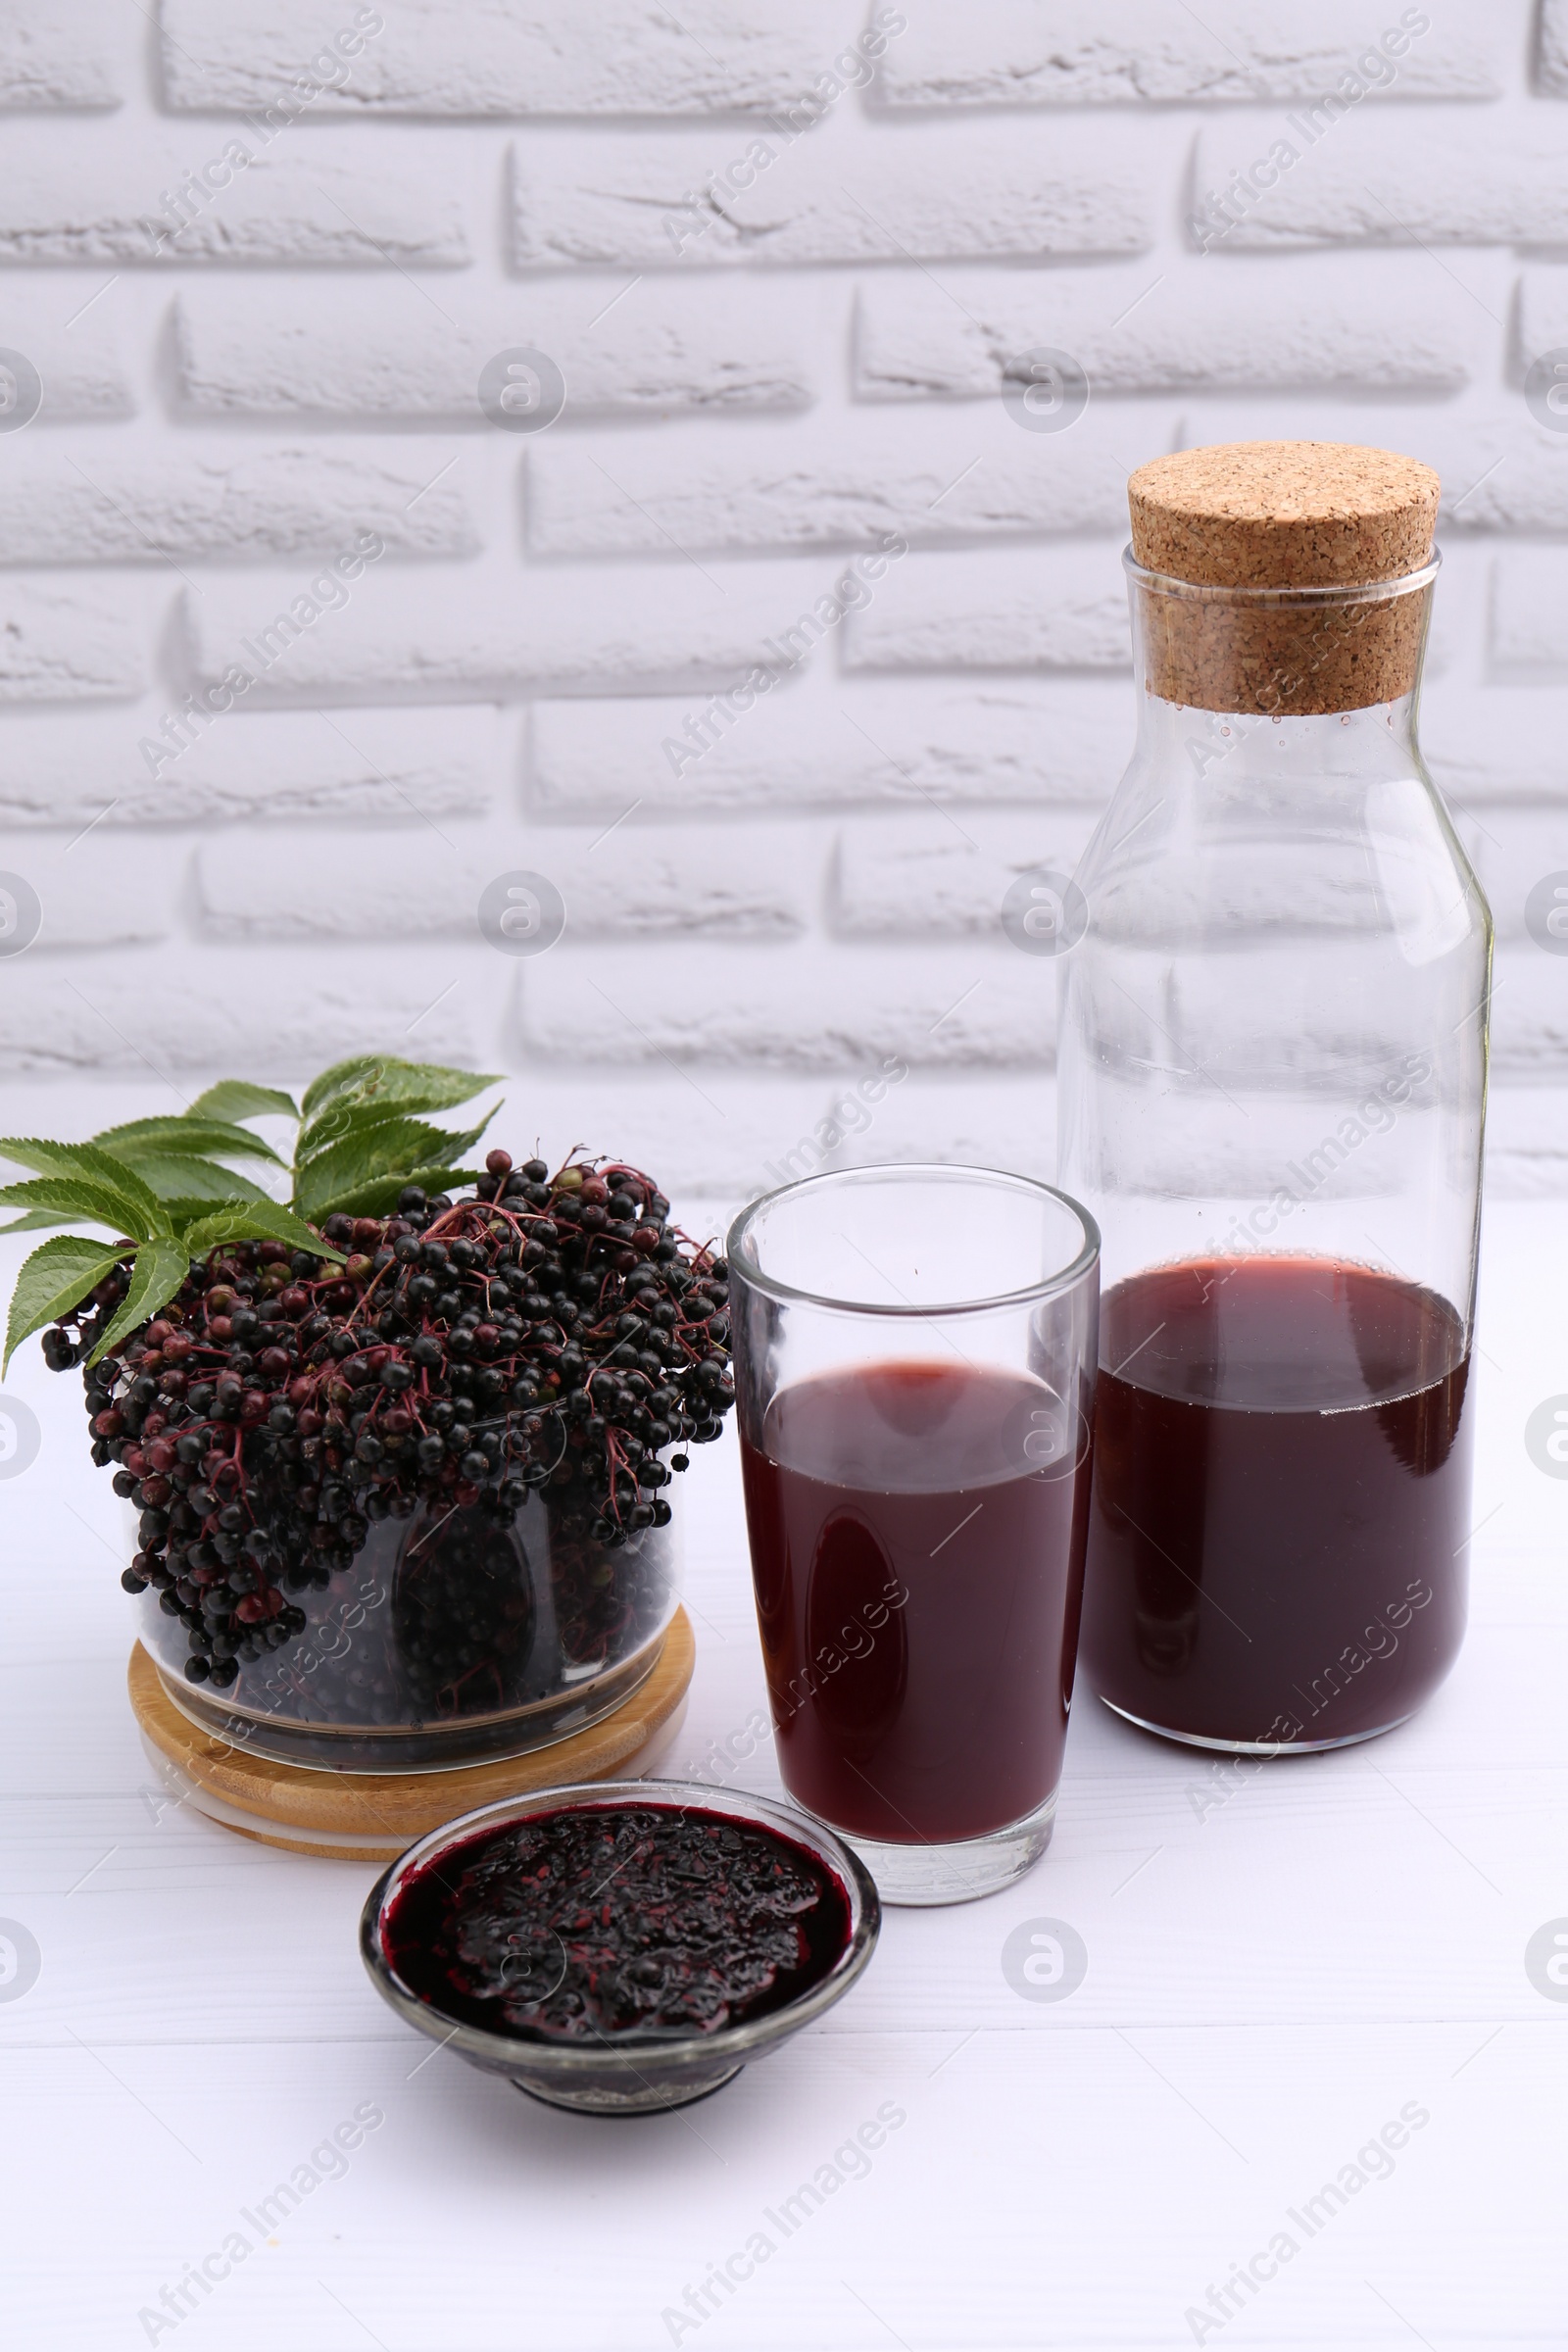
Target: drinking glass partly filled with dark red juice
(916, 1361)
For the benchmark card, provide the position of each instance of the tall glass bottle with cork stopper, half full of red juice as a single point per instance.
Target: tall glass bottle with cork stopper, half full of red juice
(1271, 1097)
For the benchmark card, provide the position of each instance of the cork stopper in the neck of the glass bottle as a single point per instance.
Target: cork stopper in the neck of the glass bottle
(1282, 516)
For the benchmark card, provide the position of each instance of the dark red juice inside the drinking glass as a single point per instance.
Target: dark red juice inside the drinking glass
(918, 1549)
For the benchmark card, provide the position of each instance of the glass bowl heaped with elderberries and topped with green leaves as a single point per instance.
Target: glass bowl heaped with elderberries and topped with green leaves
(401, 1452)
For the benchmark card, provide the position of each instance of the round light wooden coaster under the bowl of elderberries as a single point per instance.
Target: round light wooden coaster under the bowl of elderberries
(373, 1817)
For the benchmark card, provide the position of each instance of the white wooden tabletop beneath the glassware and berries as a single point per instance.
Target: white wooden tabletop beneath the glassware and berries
(1280, 1965)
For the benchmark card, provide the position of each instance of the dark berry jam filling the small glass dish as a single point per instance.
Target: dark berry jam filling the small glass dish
(617, 1920)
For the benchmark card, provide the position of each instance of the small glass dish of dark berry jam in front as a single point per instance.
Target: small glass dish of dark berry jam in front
(619, 1951)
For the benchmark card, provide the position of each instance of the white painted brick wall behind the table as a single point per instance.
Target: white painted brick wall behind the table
(791, 265)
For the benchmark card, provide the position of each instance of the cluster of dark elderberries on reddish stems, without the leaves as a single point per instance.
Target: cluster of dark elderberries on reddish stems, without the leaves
(551, 1332)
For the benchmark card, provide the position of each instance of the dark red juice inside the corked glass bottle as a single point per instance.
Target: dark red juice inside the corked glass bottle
(1280, 1518)
